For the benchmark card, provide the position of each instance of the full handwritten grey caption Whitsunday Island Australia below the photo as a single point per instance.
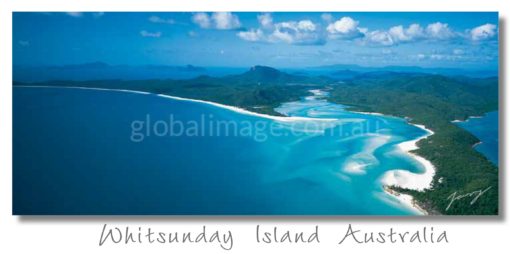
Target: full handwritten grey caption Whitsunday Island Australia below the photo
(269, 235)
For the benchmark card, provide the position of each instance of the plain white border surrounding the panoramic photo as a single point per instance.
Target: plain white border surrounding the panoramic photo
(71, 235)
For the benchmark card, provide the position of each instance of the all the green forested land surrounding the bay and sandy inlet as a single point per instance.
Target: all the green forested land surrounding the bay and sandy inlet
(431, 100)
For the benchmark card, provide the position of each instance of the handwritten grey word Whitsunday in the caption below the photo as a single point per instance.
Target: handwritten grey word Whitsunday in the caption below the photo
(141, 235)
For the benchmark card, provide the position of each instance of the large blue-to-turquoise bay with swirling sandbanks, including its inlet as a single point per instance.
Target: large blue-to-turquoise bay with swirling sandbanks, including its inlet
(105, 152)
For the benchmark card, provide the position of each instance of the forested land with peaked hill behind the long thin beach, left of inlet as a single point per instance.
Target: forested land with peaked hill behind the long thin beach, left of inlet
(261, 89)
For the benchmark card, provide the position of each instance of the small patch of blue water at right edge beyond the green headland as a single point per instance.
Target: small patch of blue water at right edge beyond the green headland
(485, 128)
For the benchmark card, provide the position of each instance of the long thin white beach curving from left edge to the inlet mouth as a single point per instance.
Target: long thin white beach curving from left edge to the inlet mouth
(228, 107)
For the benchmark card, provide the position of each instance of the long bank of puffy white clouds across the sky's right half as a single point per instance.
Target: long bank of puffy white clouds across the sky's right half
(306, 32)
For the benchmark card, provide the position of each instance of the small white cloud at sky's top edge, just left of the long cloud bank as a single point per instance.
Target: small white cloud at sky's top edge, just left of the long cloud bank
(218, 20)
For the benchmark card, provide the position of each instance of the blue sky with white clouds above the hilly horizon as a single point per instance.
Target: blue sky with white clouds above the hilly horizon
(466, 40)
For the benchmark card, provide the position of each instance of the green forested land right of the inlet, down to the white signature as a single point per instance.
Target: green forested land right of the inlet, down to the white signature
(435, 101)
